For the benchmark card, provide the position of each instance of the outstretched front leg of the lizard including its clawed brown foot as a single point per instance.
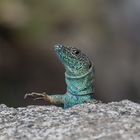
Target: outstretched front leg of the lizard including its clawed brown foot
(51, 99)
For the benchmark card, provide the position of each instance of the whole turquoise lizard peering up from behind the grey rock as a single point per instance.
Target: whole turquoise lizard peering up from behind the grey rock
(79, 78)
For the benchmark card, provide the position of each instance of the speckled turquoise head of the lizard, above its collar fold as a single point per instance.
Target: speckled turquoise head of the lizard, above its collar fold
(75, 62)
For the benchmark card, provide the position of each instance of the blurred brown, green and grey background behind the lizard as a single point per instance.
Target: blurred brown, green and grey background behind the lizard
(108, 31)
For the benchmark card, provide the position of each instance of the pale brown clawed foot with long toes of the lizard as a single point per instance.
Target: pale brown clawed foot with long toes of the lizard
(38, 96)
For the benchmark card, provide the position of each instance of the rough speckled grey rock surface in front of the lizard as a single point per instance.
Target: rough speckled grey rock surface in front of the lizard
(112, 121)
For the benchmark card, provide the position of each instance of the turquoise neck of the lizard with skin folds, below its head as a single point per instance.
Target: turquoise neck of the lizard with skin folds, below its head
(81, 84)
